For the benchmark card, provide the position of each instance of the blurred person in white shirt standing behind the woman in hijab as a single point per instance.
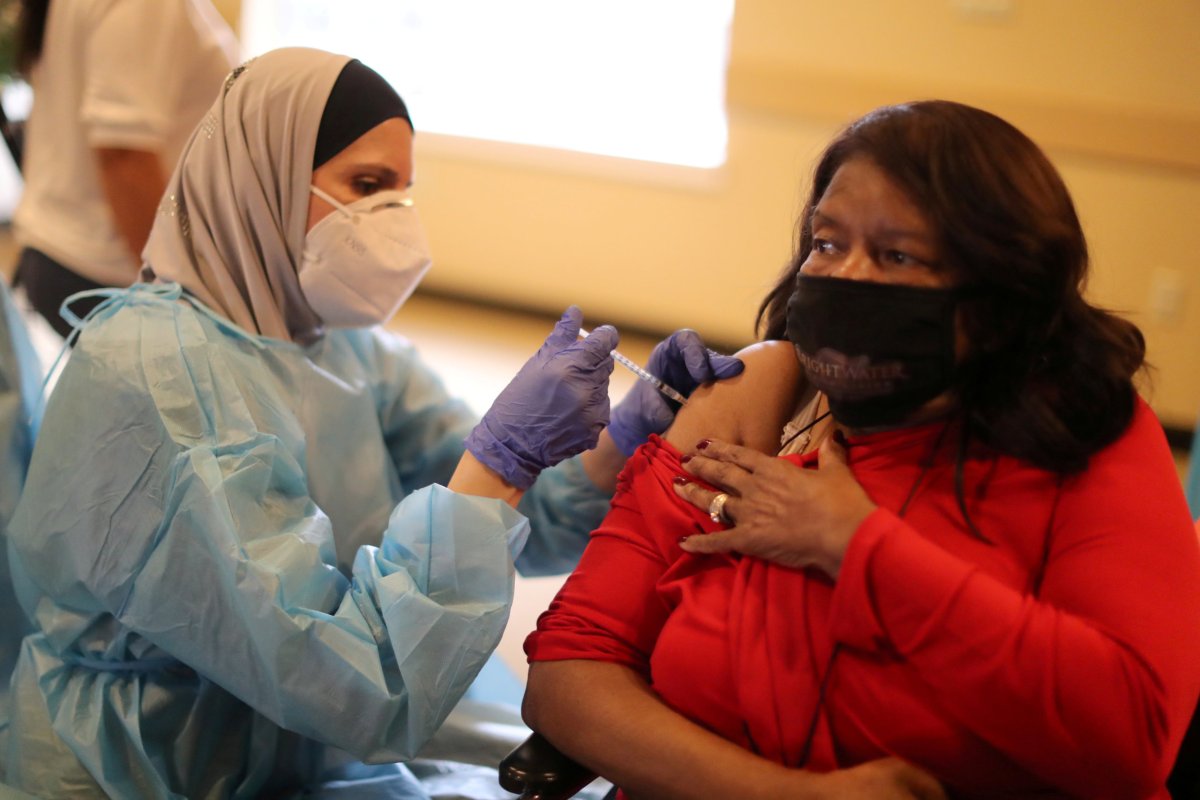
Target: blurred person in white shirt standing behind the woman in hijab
(118, 88)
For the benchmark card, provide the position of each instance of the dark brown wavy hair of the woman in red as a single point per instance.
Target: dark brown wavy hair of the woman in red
(1048, 377)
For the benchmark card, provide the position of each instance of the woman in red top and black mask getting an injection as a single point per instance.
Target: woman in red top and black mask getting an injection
(989, 570)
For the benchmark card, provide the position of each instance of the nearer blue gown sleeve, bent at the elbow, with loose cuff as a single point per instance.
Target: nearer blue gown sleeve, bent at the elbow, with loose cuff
(159, 501)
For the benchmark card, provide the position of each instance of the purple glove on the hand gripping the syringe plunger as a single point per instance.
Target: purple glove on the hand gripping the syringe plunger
(554, 408)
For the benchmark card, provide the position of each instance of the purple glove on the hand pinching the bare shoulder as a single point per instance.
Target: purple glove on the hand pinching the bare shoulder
(683, 363)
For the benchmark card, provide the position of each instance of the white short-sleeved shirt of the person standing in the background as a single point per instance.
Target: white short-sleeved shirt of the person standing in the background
(134, 75)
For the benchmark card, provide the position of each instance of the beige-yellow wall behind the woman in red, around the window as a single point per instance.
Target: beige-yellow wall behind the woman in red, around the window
(1112, 89)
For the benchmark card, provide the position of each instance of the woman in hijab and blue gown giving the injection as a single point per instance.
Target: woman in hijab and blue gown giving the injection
(224, 540)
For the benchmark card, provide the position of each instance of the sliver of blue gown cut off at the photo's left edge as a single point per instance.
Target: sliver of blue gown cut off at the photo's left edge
(21, 386)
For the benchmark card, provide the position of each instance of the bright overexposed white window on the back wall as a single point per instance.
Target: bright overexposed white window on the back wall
(639, 80)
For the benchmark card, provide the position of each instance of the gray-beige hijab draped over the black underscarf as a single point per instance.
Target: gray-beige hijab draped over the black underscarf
(231, 228)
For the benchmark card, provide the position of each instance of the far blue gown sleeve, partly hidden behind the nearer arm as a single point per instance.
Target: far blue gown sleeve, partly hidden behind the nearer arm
(425, 428)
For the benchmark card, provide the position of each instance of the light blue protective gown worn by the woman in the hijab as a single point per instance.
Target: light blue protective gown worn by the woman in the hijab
(194, 508)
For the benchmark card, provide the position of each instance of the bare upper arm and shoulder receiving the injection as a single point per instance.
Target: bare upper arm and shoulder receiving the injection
(751, 410)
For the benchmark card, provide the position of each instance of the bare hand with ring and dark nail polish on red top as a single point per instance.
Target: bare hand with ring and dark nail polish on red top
(791, 516)
